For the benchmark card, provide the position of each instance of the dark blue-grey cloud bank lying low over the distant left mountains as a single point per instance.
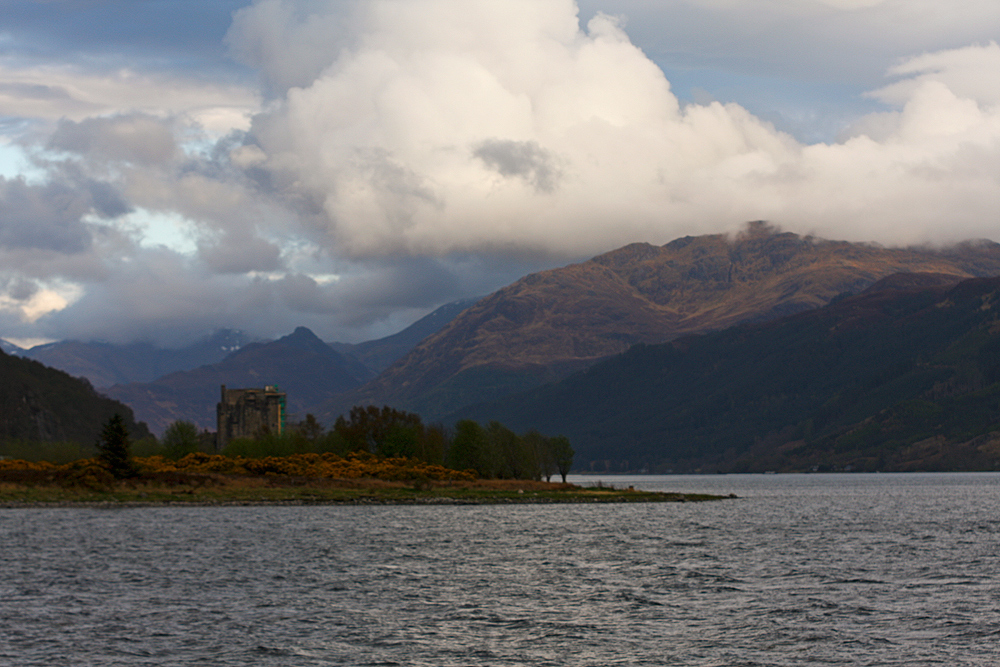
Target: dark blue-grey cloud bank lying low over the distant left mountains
(164, 297)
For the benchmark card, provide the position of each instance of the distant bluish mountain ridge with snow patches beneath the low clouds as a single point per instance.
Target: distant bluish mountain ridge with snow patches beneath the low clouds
(106, 364)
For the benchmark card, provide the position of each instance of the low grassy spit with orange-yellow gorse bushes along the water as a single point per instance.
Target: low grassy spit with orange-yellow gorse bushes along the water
(365, 482)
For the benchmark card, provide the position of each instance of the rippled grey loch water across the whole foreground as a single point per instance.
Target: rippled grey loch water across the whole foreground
(798, 570)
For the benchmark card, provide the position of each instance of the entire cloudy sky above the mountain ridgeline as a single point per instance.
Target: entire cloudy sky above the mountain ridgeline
(172, 167)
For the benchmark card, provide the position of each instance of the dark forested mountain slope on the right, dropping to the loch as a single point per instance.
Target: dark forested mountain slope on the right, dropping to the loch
(904, 376)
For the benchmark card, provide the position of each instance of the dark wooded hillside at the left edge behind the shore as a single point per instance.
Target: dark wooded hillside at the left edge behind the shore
(42, 404)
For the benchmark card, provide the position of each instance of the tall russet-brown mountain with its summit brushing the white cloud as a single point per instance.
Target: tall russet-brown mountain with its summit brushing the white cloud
(547, 325)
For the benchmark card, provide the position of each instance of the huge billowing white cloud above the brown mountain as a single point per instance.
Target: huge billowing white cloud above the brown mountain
(455, 125)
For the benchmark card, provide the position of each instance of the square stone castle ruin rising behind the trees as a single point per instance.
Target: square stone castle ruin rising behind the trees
(249, 413)
